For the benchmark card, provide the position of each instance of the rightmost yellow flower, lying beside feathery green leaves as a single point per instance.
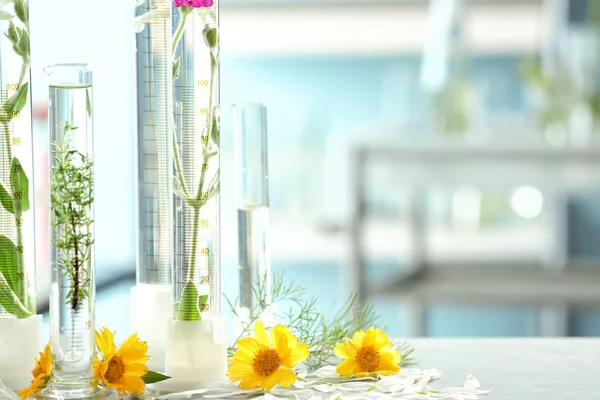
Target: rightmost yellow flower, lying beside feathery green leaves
(368, 353)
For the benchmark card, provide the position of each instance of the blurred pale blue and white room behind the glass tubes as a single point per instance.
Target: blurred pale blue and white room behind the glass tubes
(440, 158)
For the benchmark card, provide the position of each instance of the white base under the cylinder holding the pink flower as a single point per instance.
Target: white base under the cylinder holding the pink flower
(196, 355)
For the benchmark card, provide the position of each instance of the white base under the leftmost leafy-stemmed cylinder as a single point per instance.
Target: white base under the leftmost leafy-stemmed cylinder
(20, 344)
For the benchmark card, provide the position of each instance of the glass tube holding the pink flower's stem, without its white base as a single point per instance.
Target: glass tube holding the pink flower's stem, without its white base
(196, 286)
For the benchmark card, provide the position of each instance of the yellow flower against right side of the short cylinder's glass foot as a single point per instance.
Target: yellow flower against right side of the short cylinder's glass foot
(121, 369)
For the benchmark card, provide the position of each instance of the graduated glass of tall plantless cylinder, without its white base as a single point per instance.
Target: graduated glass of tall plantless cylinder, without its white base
(155, 143)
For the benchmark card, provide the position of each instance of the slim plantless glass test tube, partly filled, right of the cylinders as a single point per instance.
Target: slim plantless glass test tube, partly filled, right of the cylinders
(252, 198)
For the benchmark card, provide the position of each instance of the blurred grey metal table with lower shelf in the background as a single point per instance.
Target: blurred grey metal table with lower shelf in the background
(416, 165)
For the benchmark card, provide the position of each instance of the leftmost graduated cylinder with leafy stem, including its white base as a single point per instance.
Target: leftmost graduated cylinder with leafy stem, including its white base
(20, 327)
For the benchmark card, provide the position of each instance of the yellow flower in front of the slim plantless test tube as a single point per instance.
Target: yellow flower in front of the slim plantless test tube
(263, 363)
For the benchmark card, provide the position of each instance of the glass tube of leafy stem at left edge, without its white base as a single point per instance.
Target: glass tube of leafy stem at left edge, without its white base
(17, 236)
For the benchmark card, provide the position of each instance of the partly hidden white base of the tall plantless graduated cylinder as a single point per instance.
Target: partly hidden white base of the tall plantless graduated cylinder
(151, 311)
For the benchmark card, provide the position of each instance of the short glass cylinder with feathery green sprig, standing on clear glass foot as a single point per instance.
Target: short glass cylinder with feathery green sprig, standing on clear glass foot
(71, 234)
